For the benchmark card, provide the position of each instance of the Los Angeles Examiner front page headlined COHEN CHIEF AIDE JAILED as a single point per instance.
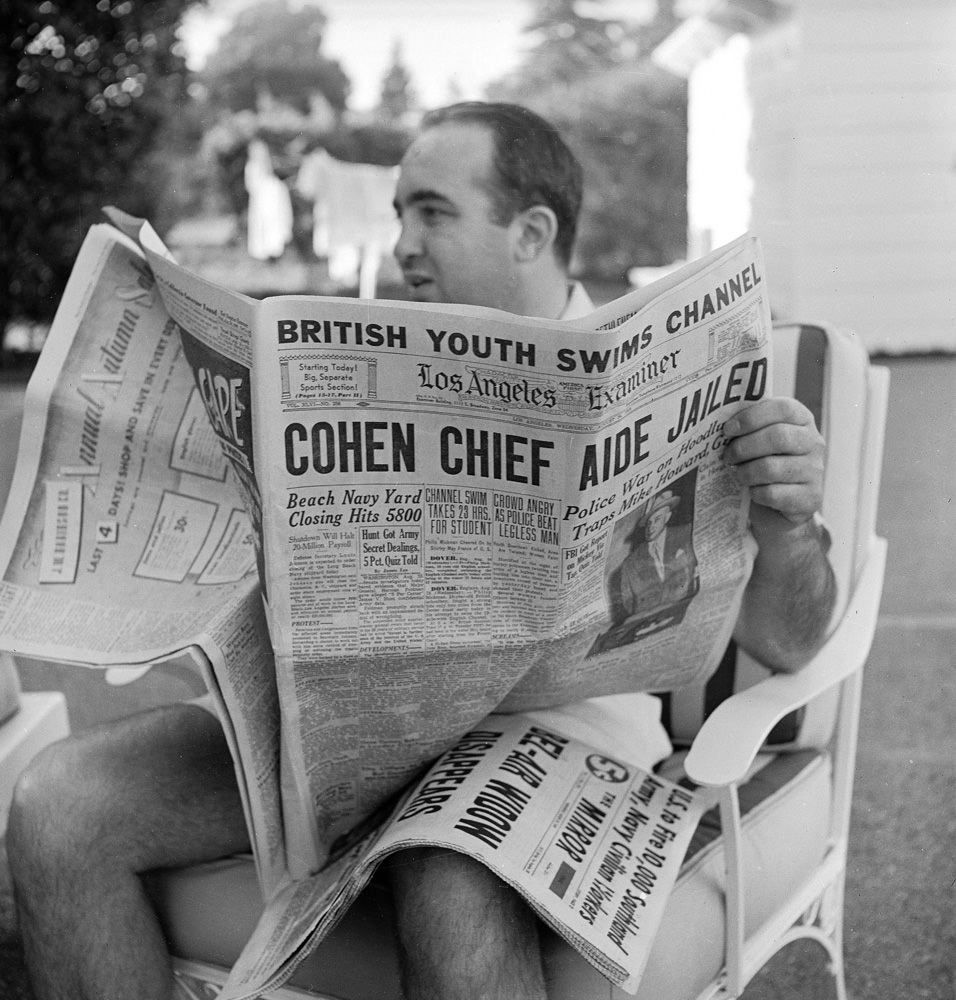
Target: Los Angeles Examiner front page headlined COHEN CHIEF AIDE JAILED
(462, 506)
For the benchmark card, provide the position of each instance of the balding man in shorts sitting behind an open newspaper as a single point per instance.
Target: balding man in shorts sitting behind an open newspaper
(488, 198)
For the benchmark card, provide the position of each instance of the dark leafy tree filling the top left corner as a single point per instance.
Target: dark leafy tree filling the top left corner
(87, 86)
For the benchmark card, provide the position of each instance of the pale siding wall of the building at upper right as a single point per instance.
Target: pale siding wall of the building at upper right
(853, 159)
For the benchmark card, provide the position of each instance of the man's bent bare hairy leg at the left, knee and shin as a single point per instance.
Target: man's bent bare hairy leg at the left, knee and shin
(153, 790)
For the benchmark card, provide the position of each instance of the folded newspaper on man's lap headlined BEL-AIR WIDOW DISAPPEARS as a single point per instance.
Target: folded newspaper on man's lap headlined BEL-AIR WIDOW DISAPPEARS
(594, 845)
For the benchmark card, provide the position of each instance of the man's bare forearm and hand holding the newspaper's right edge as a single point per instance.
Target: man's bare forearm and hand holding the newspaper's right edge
(778, 454)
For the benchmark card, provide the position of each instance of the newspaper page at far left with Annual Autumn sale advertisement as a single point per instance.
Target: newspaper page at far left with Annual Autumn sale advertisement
(123, 536)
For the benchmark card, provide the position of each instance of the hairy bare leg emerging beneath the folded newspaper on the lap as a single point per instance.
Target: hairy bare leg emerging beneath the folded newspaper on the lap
(464, 933)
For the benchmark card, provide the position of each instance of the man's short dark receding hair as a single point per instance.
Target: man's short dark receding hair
(531, 164)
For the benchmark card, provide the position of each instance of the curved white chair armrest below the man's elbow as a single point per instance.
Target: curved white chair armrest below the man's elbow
(734, 733)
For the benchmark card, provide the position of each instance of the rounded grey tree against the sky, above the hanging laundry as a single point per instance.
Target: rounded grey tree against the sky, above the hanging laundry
(273, 53)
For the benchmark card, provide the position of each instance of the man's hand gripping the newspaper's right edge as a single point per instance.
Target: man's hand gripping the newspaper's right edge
(777, 453)
